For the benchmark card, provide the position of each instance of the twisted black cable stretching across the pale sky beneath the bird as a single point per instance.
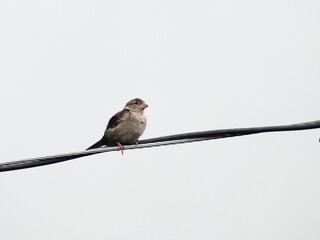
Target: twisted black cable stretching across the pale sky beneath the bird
(159, 141)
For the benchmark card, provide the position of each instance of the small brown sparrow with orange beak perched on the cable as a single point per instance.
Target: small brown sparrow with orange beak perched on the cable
(125, 127)
